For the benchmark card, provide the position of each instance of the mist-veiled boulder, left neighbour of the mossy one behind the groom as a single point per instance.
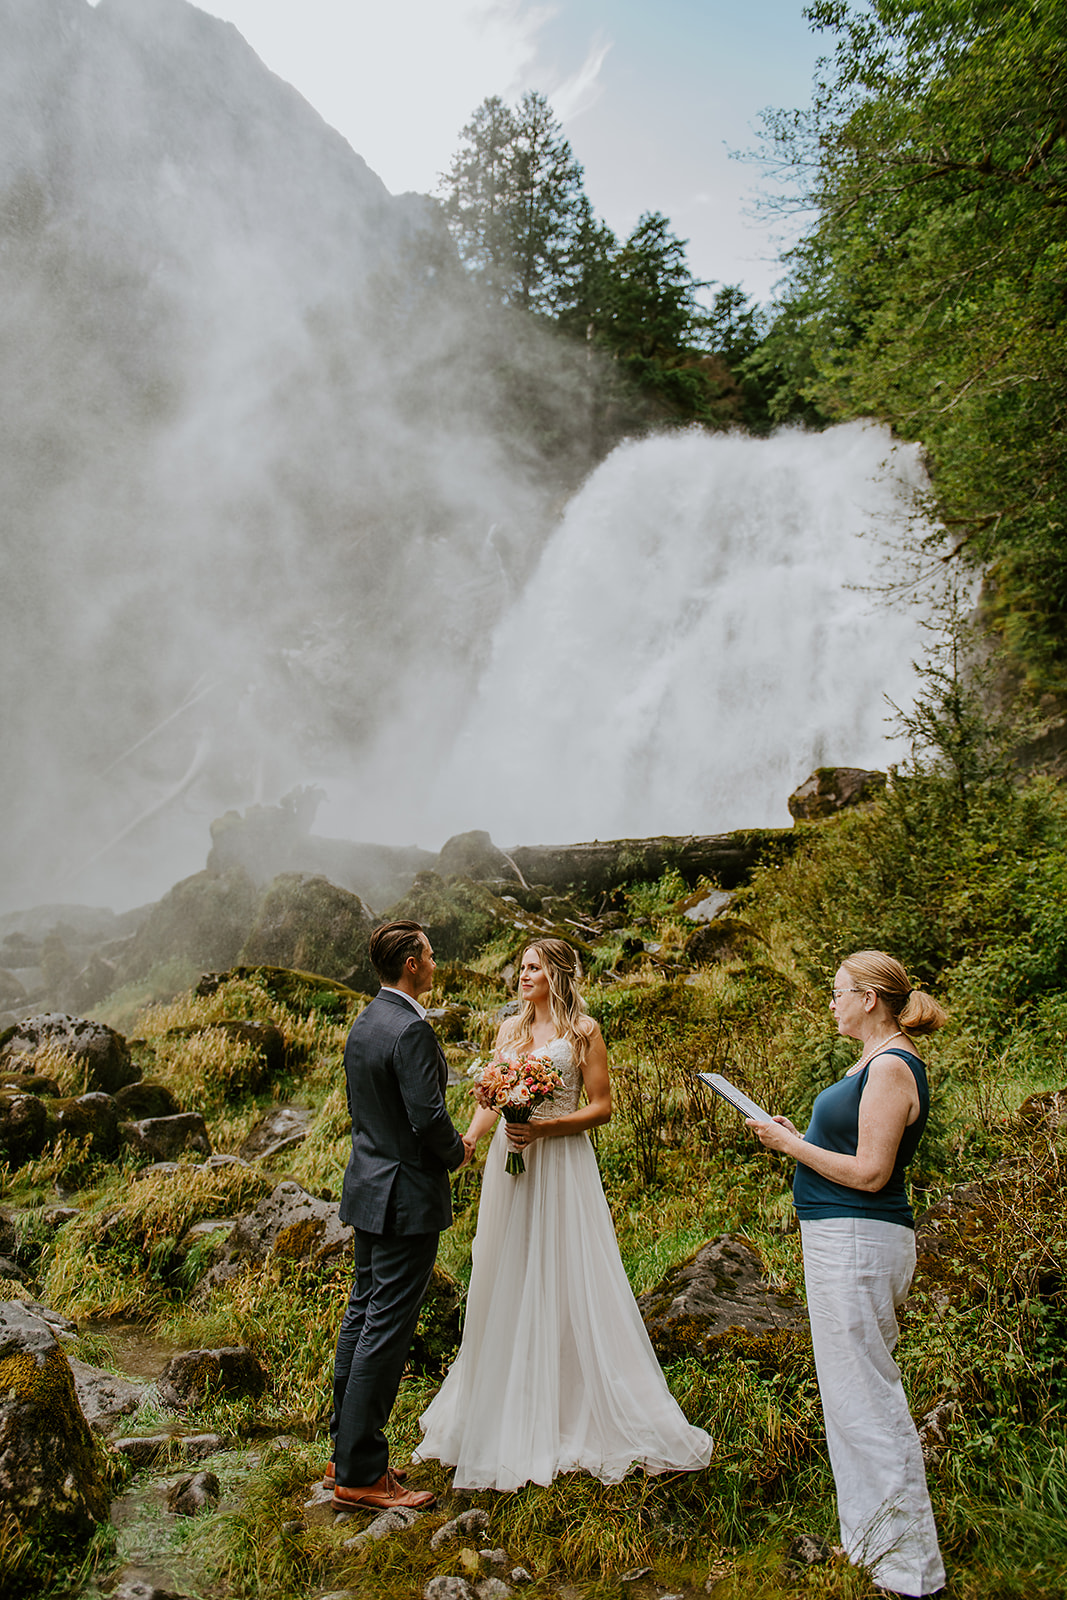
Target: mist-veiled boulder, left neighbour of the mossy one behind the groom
(204, 919)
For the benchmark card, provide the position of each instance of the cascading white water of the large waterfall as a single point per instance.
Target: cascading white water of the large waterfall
(693, 642)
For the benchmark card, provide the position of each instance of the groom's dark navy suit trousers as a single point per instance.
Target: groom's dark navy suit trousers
(393, 1273)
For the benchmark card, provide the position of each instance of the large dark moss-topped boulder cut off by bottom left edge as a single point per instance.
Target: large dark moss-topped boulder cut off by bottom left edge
(52, 1474)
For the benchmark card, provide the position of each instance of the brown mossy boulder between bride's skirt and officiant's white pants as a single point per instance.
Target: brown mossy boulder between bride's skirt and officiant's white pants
(719, 1290)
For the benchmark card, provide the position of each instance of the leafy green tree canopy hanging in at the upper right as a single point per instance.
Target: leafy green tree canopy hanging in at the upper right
(932, 287)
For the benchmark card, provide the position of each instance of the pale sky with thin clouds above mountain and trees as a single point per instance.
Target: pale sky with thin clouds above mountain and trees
(652, 94)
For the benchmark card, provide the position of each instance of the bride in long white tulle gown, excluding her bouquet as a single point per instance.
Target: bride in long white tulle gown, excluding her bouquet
(556, 1372)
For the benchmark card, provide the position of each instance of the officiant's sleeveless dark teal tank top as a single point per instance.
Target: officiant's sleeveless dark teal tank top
(836, 1127)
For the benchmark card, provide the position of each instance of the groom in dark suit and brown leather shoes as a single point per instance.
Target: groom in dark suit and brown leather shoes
(398, 1199)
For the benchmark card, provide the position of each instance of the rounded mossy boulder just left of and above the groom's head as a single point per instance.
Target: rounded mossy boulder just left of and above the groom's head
(311, 924)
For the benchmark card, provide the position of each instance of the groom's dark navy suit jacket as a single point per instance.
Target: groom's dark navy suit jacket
(404, 1142)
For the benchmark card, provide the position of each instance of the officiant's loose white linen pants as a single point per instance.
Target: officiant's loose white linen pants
(857, 1274)
